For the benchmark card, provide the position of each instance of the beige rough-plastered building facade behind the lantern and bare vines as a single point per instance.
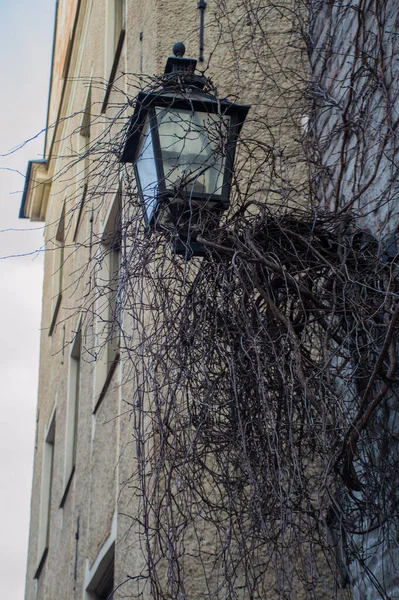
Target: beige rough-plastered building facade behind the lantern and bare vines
(109, 498)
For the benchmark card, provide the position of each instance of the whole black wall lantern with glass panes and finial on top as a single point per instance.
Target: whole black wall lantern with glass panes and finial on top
(181, 141)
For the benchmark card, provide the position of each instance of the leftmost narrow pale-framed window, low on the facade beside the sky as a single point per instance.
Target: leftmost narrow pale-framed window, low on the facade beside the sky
(46, 495)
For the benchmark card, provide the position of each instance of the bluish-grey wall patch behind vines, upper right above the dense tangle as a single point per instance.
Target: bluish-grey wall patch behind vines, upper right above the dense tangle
(354, 70)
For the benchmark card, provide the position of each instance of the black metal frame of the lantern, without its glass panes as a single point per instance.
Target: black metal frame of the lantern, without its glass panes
(182, 90)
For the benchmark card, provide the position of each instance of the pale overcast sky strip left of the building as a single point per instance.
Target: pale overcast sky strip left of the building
(26, 32)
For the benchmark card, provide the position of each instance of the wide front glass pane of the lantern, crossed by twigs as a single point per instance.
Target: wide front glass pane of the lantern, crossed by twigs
(193, 147)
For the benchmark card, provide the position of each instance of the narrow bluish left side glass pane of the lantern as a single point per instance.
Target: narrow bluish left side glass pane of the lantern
(146, 170)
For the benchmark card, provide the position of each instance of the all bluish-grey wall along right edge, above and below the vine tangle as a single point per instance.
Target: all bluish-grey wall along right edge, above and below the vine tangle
(354, 66)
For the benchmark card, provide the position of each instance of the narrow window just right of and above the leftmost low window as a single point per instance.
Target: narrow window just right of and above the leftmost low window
(72, 411)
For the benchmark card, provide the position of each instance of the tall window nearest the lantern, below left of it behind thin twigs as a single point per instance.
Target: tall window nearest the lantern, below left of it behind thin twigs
(107, 328)
